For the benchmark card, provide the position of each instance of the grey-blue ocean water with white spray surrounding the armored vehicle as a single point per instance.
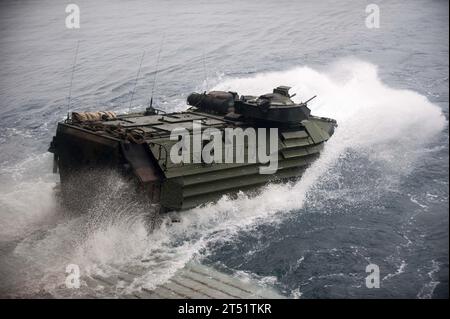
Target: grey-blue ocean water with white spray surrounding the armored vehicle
(378, 194)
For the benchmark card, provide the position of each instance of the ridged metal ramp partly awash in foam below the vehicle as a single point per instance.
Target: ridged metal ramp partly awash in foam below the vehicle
(194, 281)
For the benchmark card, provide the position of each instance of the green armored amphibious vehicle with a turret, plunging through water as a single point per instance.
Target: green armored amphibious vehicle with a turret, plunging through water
(222, 144)
